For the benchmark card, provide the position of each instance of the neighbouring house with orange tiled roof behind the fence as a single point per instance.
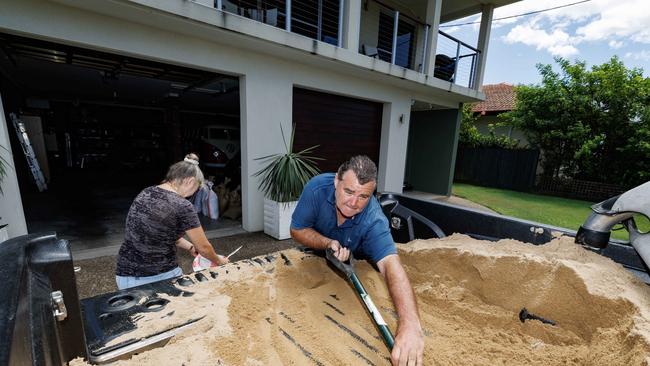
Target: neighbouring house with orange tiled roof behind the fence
(499, 98)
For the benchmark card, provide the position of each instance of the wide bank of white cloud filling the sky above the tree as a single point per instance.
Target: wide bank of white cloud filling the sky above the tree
(560, 31)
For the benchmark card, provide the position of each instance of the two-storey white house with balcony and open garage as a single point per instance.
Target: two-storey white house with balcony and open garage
(115, 91)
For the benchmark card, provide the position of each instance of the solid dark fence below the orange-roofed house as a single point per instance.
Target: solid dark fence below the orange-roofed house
(498, 168)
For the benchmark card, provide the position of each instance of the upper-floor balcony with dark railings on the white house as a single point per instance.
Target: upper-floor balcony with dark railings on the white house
(385, 33)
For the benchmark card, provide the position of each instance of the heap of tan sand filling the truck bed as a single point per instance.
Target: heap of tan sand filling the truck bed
(469, 293)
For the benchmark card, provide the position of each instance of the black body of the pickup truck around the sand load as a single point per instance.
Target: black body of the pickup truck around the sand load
(43, 321)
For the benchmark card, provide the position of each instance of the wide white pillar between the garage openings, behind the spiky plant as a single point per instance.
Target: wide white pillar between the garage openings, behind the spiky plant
(265, 103)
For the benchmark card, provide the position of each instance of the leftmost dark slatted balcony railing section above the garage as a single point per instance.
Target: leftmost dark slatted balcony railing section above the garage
(316, 19)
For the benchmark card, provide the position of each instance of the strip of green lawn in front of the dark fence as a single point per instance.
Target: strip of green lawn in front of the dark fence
(549, 210)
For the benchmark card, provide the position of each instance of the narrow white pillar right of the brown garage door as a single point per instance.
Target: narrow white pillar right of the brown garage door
(394, 142)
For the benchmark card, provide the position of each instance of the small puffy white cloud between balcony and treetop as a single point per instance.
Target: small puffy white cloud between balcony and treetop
(557, 42)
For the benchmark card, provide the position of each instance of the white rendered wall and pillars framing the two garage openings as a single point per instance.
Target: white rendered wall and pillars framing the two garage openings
(267, 80)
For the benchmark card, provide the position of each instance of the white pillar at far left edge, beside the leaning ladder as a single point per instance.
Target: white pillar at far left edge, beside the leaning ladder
(11, 206)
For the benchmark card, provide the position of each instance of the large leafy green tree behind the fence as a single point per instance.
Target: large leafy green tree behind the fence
(590, 124)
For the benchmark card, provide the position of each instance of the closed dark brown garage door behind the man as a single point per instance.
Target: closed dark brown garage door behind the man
(342, 126)
